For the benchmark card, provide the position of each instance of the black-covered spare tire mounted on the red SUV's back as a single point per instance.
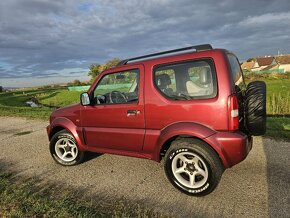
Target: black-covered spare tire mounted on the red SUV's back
(255, 108)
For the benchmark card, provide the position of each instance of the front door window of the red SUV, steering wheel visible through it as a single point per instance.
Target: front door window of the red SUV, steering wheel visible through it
(118, 88)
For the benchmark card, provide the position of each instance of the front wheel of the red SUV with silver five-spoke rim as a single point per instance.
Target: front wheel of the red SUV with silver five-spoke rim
(64, 149)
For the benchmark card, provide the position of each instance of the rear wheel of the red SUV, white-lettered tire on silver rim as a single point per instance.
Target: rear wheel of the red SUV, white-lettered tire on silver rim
(193, 167)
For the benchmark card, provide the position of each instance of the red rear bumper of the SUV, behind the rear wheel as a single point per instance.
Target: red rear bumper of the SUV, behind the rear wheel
(232, 147)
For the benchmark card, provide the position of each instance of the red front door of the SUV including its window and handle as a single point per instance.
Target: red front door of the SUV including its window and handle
(115, 120)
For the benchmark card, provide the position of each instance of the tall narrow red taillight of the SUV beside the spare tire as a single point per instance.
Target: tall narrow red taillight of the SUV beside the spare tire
(233, 113)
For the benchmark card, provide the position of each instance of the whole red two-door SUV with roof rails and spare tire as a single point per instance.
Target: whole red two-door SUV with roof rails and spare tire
(189, 107)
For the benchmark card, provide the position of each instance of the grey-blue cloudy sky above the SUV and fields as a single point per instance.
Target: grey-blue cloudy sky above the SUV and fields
(48, 42)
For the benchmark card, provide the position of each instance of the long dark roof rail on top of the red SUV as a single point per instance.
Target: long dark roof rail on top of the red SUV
(202, 47)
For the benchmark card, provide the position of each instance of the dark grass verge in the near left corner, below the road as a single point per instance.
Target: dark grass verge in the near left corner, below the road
(26, 198)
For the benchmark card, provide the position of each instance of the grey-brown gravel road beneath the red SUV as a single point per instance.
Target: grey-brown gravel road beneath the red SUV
(257, 187)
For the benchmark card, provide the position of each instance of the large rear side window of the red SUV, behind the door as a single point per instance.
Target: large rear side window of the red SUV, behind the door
(186, 80)
